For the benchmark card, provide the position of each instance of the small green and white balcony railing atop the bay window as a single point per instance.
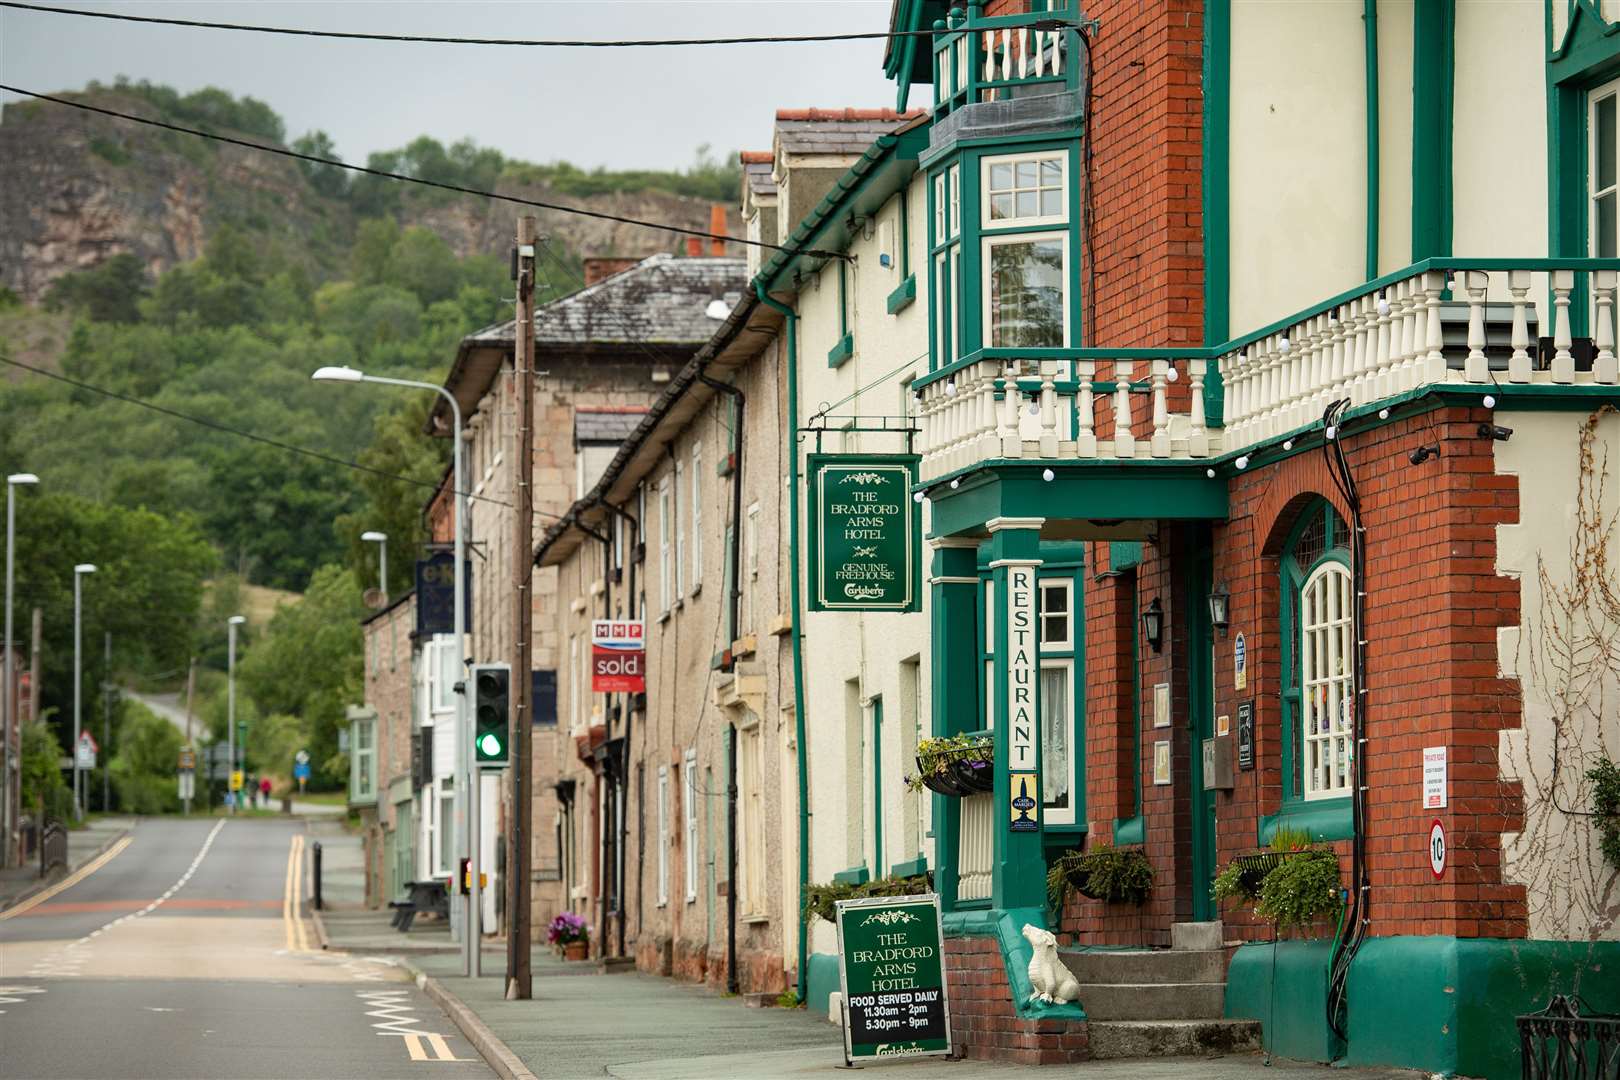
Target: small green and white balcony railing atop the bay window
(983, 61)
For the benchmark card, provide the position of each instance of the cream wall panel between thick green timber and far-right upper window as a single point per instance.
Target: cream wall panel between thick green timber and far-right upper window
(1499, 132)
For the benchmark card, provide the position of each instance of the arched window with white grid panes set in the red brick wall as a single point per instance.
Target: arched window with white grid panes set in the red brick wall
(1319, 655)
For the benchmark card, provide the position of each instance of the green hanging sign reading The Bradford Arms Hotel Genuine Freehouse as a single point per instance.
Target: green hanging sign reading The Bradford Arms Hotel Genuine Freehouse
(866, 534)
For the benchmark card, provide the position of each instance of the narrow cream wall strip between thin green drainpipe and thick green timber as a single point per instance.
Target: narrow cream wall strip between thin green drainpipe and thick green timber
(1396, 135)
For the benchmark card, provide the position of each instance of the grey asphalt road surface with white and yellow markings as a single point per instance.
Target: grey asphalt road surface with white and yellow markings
(185, 951)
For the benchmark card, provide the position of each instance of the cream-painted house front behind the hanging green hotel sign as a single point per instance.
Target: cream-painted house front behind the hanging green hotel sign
(868, 648)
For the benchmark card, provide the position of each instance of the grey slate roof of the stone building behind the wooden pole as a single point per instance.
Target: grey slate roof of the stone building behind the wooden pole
(660, 300)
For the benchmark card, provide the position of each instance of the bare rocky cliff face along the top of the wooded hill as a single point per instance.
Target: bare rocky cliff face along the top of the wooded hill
(79, 189)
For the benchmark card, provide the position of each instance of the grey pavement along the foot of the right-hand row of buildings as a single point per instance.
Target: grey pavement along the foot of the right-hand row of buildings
(644, 1027)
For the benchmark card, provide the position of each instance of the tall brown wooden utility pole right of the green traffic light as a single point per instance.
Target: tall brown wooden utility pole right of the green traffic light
(521, 984)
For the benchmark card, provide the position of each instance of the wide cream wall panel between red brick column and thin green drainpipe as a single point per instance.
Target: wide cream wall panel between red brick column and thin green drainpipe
(1298, 156)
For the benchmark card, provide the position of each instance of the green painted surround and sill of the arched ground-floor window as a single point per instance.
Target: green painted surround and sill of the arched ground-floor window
(1323, 819)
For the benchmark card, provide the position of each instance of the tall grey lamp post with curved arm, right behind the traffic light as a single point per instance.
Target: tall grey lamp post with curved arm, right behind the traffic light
(467, 788)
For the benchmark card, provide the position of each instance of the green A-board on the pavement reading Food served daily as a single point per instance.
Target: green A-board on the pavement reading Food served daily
(892, 972)
